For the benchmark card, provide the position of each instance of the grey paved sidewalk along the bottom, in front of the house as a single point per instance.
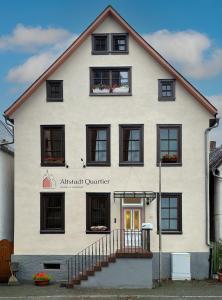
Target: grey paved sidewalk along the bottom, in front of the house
(169, 290)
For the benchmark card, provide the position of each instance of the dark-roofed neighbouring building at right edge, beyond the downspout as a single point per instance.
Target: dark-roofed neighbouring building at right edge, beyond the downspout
(216, 192)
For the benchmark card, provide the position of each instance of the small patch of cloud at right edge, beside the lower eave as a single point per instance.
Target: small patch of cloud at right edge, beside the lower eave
(216, 134)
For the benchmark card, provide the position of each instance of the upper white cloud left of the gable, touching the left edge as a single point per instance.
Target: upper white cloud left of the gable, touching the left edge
(30, 38)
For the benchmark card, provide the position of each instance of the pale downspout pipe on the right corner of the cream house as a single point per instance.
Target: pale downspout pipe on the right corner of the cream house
(214, 123)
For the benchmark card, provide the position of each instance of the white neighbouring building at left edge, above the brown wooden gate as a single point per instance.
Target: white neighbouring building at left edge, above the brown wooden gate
(6, 183)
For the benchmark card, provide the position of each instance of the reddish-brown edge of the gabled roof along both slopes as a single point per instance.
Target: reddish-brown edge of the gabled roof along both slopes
(109, 11)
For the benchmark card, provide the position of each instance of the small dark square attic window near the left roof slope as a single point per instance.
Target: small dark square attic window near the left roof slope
(54, 90)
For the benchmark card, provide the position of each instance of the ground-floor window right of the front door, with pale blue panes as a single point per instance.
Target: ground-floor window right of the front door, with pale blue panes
(171, 213)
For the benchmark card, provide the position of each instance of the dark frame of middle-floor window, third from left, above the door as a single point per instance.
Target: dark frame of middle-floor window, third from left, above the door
(121, 129)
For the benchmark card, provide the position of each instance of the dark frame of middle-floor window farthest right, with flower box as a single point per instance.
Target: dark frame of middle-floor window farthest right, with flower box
(179, 137)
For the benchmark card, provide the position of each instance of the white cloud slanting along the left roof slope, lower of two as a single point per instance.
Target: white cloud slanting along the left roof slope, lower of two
(35, 65)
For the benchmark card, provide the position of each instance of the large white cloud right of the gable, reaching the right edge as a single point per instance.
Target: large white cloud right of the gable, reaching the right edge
(193, 53)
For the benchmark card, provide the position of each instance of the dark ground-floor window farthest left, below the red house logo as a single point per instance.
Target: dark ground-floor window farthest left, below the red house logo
(52, 213)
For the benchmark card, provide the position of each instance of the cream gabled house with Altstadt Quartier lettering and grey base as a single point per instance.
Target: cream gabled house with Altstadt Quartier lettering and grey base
(89, 136)
